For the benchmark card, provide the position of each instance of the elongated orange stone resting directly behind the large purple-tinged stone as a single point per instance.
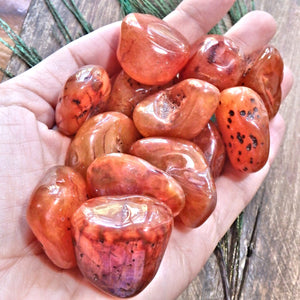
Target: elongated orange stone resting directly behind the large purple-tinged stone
(123, 174)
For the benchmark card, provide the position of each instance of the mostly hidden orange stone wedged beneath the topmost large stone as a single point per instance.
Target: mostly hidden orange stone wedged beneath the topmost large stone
(126, 93)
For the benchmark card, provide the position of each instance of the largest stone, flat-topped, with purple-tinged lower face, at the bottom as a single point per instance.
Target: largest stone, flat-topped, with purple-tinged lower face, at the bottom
(120, 241)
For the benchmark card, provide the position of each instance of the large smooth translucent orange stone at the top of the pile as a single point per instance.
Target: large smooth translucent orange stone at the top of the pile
(149, 50)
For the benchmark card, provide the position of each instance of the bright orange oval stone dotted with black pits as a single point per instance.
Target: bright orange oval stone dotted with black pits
(244, 123)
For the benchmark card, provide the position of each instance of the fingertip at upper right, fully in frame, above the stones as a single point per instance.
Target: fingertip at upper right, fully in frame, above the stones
(253, 31)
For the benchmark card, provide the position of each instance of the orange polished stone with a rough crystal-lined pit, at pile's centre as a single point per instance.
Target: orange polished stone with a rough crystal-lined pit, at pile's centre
(179, 111)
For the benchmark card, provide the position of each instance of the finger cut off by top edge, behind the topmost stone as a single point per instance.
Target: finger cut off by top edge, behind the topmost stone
(197, 17)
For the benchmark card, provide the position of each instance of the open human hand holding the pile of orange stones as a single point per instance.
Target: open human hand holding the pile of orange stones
(28, 148)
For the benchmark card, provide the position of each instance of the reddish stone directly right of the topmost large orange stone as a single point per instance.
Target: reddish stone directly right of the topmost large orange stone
(218, 60)
